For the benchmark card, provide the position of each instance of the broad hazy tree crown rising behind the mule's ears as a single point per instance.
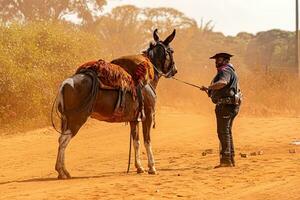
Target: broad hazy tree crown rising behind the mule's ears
(128, 29)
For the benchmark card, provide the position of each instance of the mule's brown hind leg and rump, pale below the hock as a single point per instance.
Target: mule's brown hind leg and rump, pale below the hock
(75, 106)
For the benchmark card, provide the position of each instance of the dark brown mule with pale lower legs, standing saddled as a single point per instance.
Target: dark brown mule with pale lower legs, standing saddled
(80, 97)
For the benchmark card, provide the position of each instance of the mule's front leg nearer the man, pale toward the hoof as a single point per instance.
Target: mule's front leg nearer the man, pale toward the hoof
(147, 142)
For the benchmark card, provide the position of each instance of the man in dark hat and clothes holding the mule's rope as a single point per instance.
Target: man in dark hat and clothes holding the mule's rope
(224, 92)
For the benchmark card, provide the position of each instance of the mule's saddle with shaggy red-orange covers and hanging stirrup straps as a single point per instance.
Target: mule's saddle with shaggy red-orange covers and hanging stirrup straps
(124, 74)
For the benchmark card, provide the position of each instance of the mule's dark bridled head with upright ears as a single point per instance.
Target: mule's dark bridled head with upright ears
(161, 55)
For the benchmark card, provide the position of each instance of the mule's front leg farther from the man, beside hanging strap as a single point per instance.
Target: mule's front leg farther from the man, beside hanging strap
(136, 144)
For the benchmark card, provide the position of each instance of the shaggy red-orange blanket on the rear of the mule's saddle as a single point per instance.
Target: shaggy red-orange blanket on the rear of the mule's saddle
(111, 75)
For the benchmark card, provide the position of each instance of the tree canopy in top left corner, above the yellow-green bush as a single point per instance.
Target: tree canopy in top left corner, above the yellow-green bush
(33, 10)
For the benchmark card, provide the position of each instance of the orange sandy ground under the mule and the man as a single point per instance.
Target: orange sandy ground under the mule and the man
(97, 160)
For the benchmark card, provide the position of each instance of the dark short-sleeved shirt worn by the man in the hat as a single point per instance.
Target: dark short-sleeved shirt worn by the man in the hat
(225, 73)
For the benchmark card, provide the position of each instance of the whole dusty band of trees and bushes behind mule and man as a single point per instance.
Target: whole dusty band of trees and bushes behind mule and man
(38, 49)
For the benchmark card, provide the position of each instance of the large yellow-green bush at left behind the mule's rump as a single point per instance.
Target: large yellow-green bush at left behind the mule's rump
(33, 60)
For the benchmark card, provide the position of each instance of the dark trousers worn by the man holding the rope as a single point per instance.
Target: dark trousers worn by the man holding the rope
(225, 115)
